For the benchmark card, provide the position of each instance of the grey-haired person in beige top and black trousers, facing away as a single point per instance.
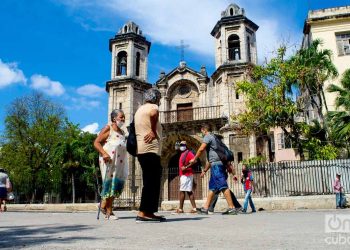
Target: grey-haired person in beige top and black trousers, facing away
(148, 134)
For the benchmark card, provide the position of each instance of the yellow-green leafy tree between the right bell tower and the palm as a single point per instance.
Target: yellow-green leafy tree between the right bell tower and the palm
(269, 99)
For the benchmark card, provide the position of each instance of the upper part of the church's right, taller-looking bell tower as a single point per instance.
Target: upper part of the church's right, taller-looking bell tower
(235, 50)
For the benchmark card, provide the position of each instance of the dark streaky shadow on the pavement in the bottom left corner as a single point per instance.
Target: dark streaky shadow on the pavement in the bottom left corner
(27, 236)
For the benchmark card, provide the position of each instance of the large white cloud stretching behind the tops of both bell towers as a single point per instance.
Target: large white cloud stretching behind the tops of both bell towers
(168, 21)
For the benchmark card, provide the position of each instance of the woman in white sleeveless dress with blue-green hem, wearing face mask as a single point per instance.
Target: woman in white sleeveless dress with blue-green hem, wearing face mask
(111, 145)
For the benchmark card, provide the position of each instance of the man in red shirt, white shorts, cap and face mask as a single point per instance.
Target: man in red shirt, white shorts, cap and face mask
(186, 177)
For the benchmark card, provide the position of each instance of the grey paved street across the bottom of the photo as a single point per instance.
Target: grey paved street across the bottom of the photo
(263, 230)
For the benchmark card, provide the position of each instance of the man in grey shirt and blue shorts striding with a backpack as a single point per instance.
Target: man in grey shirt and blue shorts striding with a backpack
(218, 173)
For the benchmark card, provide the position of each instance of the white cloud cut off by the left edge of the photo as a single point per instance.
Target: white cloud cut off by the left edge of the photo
(10, 74)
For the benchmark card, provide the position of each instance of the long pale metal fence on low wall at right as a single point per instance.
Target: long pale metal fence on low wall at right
(300, 178)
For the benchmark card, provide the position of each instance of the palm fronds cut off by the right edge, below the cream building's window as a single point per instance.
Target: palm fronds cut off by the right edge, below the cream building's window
(340, 120)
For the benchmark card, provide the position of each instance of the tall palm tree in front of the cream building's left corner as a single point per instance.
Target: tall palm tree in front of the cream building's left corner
(315, 66)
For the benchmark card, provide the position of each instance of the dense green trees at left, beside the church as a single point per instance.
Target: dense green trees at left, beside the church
(42, 150)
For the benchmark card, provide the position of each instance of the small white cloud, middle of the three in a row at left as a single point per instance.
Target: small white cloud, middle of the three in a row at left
(44, 84)
